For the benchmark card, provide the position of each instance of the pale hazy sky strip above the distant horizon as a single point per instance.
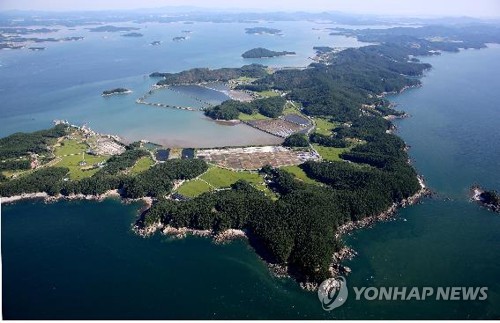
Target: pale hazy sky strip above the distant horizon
(473, 8)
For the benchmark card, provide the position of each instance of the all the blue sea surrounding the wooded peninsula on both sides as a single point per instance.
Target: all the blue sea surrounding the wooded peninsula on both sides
(81, 260)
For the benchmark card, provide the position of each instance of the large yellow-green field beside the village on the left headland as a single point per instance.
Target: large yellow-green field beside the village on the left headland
(70, 155)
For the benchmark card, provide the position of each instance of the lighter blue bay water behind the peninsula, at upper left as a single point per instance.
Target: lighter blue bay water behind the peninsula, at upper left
(65, 80)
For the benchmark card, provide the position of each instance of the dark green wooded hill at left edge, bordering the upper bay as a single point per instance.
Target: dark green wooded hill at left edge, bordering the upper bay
(20, 144)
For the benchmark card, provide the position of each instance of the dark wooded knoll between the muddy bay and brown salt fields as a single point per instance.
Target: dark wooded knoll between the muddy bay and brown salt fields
(271, 107)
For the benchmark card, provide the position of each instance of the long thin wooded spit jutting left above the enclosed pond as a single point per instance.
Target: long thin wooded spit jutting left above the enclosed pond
(200, 75)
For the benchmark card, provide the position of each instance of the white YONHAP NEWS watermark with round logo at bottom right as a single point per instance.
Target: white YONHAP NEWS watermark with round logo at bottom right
(333, 293)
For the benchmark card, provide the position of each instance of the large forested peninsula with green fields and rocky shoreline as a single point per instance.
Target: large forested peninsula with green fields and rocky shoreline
(340, 166)
